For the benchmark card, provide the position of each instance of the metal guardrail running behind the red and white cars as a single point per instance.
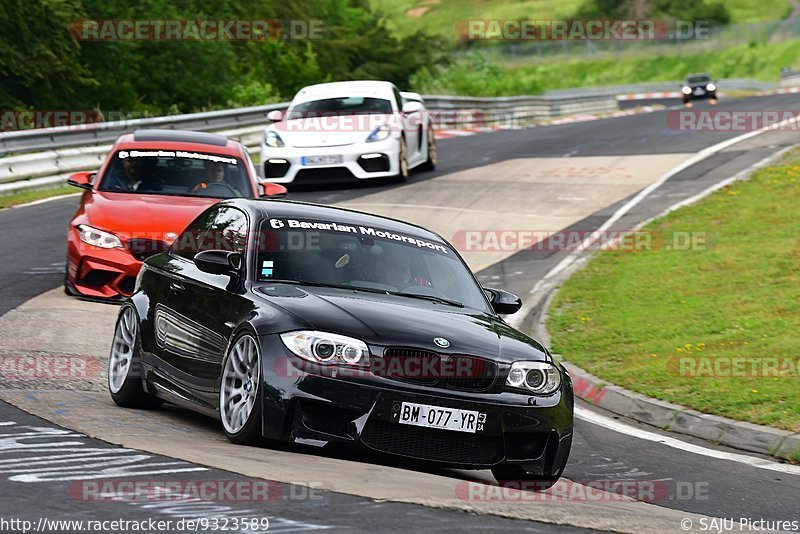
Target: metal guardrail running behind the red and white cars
(45, 157)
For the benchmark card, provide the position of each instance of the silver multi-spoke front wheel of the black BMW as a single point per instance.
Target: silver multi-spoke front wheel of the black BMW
(240, 393)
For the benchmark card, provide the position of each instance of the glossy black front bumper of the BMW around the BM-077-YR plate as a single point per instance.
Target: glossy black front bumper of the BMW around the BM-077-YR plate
(310, 408)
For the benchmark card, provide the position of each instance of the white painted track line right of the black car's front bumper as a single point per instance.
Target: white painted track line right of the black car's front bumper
(616, 426)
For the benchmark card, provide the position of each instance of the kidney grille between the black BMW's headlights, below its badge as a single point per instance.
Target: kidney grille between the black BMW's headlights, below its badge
(467, 373)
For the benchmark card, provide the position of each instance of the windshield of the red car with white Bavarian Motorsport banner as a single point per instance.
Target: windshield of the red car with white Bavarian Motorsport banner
(176, 172)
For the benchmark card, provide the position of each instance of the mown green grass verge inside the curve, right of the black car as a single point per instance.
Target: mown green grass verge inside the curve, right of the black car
(669, 323)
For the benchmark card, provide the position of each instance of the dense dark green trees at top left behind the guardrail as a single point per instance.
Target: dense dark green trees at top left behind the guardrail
(43, 67)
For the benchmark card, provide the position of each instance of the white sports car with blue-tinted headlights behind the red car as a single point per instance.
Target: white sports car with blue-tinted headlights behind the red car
(345, 130)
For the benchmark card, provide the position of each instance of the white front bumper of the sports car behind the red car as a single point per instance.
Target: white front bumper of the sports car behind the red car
(285, 164)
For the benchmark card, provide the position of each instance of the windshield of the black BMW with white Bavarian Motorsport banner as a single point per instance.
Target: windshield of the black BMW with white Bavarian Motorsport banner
(366, 258)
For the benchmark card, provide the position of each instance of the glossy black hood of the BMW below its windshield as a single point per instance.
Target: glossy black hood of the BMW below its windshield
(387, 320)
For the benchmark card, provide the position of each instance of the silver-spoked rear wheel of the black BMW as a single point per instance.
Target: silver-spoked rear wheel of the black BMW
(124, 364)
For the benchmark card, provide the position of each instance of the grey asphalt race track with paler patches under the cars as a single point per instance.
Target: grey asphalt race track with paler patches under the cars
(543, 178)
